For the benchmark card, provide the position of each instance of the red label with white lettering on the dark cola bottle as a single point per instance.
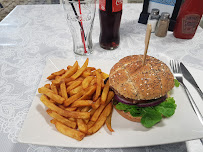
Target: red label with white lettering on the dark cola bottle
(116, 5)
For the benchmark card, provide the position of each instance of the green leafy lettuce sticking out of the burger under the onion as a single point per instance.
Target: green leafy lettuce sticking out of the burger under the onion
(150, 115)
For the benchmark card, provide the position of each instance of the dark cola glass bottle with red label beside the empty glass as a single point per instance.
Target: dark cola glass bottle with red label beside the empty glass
(110, 12)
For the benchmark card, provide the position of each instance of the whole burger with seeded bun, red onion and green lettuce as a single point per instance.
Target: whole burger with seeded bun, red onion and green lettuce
(141, 91)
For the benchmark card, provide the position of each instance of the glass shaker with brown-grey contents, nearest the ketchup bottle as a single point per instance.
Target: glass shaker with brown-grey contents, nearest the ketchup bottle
(162, 26)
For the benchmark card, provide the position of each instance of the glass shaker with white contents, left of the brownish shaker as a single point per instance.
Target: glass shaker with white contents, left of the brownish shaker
(153, 18)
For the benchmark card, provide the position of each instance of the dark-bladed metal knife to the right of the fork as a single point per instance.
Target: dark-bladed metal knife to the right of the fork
(187, 75)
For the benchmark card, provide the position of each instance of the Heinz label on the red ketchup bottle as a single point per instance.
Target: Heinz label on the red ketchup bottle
(190, 23)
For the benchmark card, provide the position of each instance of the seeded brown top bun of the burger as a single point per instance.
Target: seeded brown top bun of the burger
(132, 80)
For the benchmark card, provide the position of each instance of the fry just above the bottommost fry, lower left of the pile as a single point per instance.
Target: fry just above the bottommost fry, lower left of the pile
(61, 119)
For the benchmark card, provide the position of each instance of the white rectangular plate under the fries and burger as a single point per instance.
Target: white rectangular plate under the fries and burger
(182, 126)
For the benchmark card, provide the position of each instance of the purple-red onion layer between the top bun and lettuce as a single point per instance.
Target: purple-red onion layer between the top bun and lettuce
(142, 103)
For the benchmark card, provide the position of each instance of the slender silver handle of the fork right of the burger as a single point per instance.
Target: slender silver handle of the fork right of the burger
(193, 104)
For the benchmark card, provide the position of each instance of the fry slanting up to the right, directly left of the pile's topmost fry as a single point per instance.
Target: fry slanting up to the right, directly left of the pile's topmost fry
(68, 73)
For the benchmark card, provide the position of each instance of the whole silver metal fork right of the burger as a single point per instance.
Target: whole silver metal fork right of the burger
(175, 66)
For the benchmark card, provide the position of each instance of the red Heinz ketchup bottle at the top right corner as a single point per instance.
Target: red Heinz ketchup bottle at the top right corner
(188, 19)
